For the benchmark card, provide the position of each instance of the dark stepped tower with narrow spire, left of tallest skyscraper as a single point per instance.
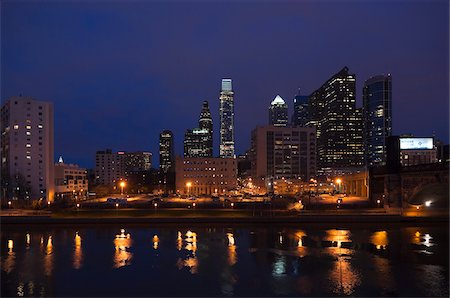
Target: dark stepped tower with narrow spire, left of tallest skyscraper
(198, 141)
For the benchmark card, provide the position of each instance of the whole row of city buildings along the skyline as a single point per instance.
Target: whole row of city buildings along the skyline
(327, 136)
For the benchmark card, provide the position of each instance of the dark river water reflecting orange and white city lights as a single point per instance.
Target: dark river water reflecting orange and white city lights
(300, 260)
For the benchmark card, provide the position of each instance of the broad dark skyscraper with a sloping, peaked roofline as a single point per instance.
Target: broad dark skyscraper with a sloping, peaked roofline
(332, 110)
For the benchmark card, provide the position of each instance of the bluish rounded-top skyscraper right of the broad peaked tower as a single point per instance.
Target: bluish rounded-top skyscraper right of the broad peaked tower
(377, 113)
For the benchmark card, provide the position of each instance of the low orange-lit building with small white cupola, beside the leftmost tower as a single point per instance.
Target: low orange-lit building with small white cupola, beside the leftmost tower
(71, 181)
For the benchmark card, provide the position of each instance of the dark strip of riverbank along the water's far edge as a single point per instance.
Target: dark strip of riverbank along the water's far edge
(220, 217)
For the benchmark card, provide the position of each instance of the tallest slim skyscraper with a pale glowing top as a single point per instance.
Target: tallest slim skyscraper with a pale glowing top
(226, 119)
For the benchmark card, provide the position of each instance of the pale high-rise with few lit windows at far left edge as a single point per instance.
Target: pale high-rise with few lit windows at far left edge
(27, 149)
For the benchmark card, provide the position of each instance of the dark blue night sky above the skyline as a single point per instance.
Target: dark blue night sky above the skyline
(119, 72)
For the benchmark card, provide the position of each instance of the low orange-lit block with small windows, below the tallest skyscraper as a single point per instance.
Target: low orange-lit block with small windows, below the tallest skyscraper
(205, 176)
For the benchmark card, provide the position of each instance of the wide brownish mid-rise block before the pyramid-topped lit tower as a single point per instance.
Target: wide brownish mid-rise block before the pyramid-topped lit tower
(283, 152)
